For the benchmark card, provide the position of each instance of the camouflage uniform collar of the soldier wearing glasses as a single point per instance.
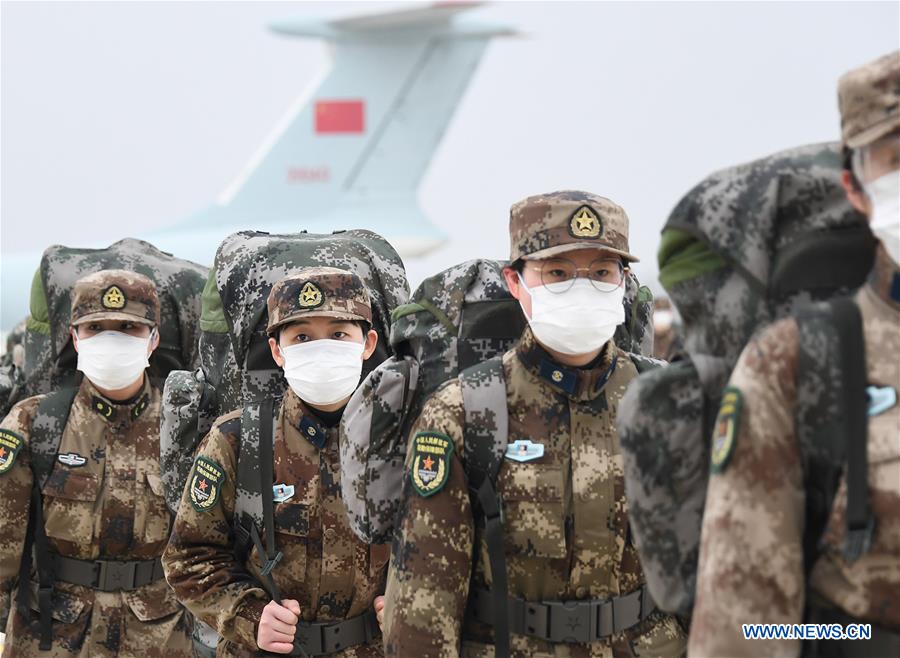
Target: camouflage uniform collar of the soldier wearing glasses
(577, 383)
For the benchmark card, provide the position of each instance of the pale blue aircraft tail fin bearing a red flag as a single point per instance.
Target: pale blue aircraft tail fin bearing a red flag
(363, 136)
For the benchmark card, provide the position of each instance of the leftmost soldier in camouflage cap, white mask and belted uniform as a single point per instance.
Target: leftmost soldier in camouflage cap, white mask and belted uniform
(105, 518)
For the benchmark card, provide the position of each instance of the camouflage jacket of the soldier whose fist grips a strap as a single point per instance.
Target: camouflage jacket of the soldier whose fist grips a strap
(331, 573)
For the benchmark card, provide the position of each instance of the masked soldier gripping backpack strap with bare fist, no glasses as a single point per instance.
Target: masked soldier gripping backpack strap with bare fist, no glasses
(329, 579)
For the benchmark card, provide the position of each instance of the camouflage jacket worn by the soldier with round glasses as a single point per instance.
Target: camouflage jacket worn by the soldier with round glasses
(565, 523)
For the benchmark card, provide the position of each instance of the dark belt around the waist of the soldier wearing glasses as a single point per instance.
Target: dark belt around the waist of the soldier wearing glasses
(567, 621)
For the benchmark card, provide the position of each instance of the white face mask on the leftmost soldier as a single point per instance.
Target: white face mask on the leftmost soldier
(113, 360)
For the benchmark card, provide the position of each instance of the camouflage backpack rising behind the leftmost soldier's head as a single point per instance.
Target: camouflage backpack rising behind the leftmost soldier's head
(49, 356)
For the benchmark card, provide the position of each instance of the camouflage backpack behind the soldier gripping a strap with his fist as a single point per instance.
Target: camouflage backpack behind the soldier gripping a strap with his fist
(236, 366)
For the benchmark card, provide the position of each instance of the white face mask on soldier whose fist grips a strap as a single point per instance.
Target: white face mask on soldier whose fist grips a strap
(323, 372)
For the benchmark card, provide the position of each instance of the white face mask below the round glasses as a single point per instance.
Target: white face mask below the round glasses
(578, 321)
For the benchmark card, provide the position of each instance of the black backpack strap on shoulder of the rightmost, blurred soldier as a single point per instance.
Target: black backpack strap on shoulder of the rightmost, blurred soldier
(832, 421)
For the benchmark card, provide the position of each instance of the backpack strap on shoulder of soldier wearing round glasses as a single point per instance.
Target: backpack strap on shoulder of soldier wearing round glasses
(486, 436)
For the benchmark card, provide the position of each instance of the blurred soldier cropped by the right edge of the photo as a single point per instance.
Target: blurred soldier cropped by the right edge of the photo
(751, 566)
